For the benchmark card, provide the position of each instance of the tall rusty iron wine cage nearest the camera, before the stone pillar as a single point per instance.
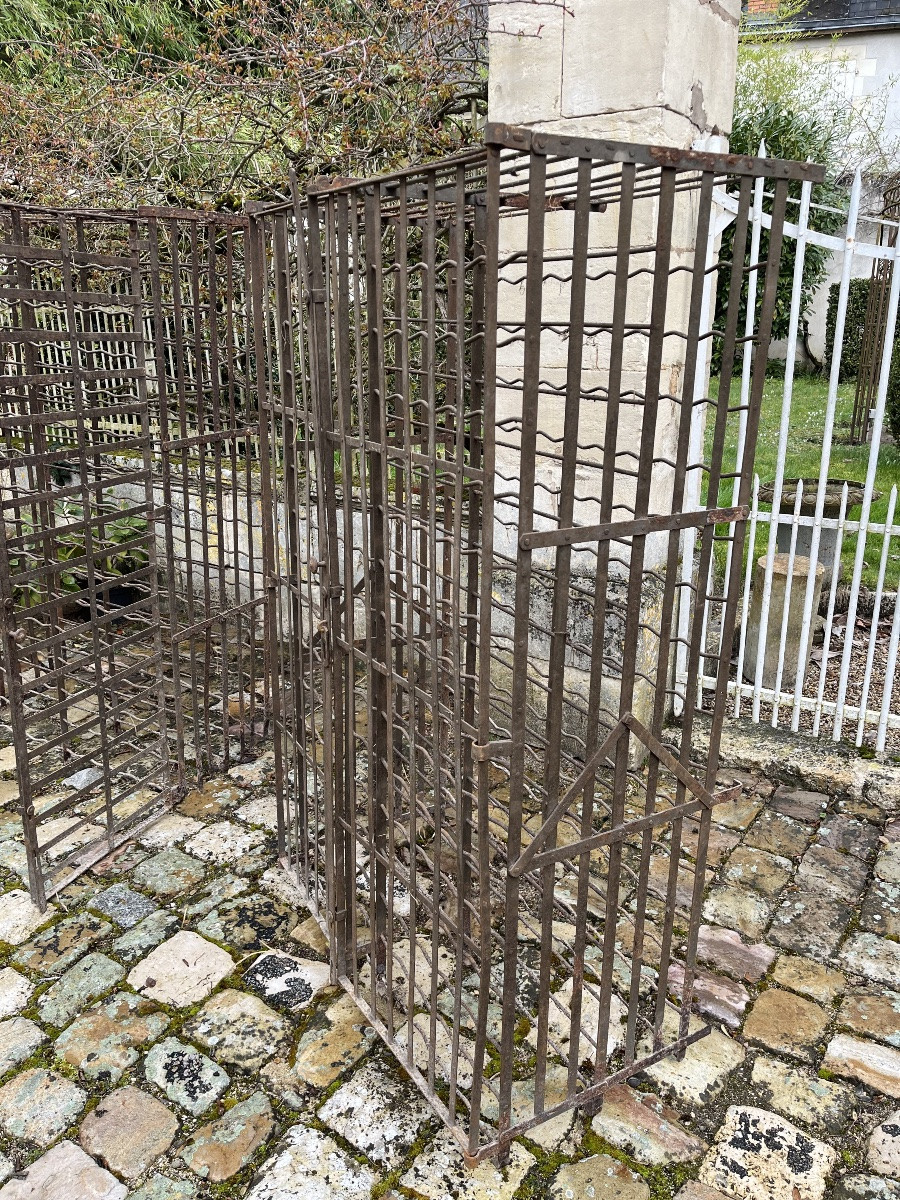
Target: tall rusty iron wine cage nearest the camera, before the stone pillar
(477, 389)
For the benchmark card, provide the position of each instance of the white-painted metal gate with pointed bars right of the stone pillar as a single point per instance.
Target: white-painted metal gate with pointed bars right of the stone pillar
(820, 665)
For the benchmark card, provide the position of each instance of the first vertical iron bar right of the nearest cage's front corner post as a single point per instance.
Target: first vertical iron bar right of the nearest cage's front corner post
(535, 292)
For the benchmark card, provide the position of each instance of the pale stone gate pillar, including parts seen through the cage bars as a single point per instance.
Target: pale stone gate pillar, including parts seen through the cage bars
(652, 73)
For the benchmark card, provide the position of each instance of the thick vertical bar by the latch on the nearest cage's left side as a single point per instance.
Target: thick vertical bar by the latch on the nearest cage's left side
(331, 575)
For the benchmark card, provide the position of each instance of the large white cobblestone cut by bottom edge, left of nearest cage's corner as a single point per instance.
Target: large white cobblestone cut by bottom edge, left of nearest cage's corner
(310, 1166)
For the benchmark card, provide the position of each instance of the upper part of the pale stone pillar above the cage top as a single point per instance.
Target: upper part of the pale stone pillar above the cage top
(651, 71)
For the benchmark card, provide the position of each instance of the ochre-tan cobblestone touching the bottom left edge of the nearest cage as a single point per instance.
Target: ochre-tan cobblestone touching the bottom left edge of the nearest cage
(335, 1040)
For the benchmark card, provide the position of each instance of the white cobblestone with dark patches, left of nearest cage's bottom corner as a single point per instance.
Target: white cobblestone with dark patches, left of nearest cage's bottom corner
(376, 1113)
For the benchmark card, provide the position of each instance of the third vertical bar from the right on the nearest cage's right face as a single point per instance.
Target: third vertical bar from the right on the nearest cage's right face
(669, 602)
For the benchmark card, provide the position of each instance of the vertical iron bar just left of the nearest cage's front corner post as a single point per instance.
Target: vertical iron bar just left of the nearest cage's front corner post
(463, 797)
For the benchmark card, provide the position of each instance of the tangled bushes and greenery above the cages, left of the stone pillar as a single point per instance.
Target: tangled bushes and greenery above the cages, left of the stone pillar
(201, 104)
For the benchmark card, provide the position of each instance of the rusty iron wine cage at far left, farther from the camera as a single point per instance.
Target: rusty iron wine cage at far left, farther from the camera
(131, 537)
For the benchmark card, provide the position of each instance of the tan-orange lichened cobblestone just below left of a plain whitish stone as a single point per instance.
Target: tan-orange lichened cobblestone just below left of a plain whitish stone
(103, 1043)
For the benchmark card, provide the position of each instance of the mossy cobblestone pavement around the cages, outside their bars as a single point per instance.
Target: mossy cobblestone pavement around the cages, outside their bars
(167, 1031)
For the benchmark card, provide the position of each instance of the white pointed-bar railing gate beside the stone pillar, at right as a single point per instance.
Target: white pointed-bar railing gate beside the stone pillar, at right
(851, 693)
